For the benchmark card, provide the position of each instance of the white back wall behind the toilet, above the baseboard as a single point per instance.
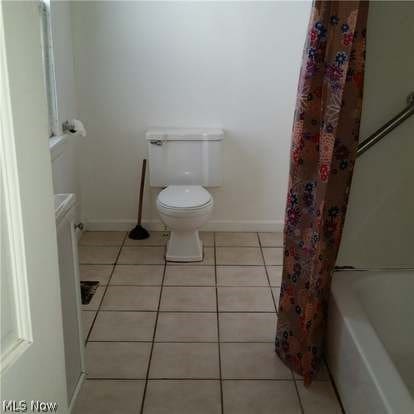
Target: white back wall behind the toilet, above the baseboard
(234, 65)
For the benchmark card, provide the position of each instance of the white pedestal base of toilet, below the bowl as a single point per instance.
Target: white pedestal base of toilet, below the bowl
(184, 246)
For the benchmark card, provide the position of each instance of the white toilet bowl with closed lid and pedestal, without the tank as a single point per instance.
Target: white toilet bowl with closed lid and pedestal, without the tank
(184, 209)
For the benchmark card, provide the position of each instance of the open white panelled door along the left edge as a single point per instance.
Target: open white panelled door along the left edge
(32, 354)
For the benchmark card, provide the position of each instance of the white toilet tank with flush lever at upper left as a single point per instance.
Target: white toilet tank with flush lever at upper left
(179, 156)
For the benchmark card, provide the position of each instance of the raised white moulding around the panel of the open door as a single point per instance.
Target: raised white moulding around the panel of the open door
(11, 186)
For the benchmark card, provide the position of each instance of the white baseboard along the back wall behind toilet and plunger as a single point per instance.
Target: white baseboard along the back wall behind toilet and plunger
(214, 225)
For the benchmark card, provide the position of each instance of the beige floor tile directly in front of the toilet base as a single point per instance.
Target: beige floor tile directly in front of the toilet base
(190, 276)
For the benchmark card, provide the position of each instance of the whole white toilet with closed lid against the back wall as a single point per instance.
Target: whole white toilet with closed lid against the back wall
(184, 161)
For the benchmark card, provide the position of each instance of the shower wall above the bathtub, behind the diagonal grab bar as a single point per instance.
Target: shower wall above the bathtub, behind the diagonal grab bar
(380, 225)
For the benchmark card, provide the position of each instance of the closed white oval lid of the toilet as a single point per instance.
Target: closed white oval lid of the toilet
(184, 196)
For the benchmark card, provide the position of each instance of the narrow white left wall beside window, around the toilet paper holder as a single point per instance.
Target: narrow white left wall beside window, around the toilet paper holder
(65, 167)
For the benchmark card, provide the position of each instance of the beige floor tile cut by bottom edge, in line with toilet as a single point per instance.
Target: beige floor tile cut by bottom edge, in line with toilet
(183, 397)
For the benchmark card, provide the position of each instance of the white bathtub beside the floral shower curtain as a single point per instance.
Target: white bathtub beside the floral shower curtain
(370, 341)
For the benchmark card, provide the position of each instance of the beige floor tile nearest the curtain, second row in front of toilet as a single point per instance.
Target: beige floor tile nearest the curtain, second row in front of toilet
(245, 299)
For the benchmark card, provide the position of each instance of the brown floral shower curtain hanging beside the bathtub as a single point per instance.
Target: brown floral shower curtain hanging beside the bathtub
(324, 141)
